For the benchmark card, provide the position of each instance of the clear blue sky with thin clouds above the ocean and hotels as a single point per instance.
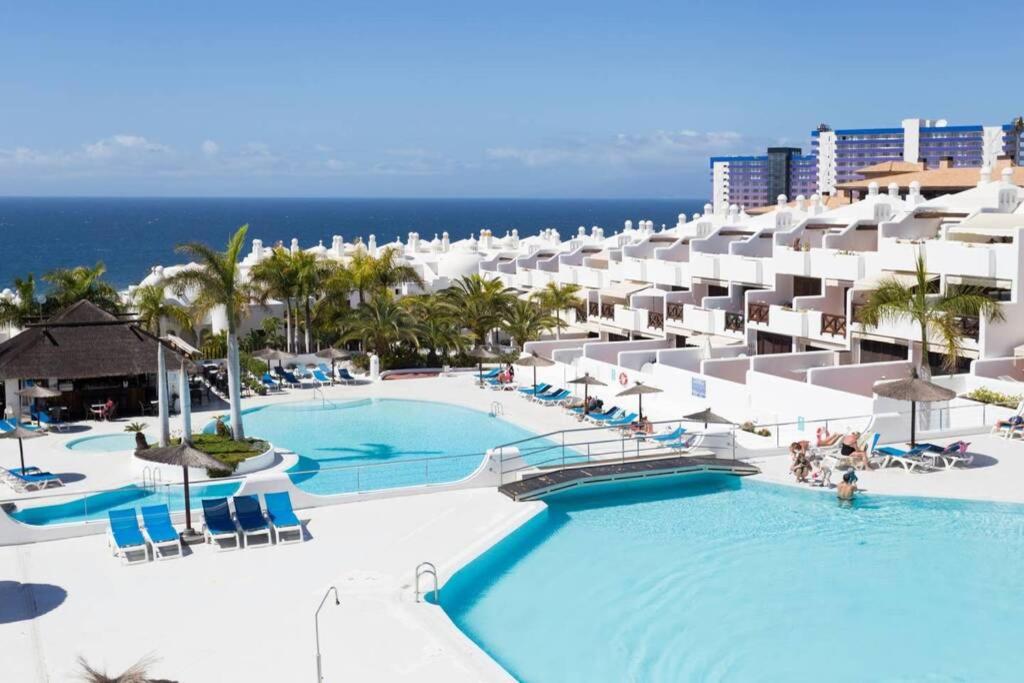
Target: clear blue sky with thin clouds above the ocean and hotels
(466, 99)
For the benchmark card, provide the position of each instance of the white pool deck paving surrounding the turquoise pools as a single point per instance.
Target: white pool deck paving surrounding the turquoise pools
(249, 615)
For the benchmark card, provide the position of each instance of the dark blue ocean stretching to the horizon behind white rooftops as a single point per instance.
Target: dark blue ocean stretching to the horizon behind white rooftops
(131, 236)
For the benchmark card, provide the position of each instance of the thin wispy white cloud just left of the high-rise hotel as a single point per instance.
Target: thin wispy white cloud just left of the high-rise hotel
(660, 148)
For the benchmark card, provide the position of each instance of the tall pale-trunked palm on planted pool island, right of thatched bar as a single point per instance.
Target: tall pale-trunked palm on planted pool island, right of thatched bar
(218, 283)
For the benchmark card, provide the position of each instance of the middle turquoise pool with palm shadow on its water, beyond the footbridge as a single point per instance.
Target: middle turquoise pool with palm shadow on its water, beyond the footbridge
(380, 443)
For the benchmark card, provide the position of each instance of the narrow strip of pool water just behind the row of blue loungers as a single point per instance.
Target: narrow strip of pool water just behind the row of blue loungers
(96, 506)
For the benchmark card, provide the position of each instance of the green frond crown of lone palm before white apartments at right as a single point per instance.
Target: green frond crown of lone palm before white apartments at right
(940, 317)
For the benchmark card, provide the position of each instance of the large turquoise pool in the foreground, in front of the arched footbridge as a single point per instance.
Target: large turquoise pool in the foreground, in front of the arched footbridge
(712, 579)
